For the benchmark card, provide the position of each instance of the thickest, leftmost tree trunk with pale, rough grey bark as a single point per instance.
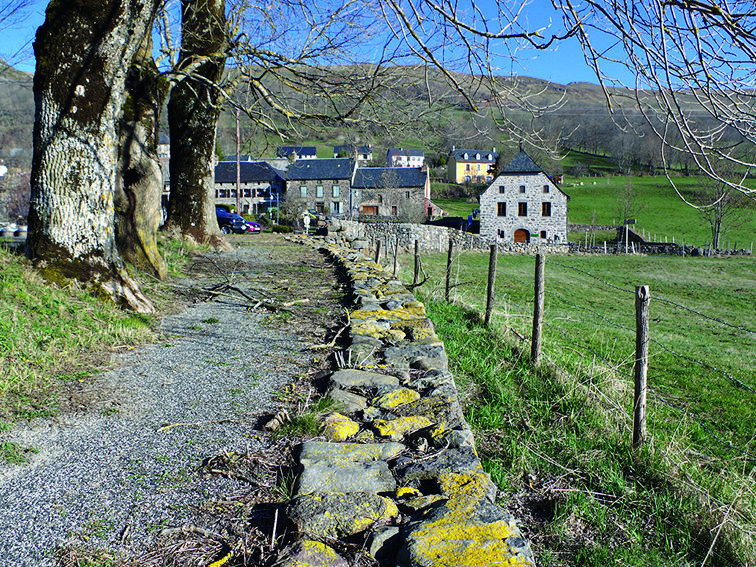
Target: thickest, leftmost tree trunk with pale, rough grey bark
(83, 52)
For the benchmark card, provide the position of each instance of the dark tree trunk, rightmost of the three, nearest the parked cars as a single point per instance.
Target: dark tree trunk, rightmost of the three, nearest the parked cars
(193, 113)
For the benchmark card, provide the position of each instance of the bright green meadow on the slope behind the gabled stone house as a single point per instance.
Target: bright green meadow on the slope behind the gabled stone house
(661, 212)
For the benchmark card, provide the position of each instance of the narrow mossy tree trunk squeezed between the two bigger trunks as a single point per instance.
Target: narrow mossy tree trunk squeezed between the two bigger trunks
(139, 184)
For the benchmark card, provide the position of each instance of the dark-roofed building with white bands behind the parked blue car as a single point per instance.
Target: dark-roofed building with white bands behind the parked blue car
(261, 185)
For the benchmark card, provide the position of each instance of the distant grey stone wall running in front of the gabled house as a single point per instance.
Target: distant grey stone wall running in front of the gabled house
(363, 236)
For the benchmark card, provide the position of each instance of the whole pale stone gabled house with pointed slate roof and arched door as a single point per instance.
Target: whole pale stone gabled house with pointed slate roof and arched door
(523, 205)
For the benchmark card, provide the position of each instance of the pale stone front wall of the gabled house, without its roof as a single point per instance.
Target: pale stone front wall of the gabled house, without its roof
(506, 189)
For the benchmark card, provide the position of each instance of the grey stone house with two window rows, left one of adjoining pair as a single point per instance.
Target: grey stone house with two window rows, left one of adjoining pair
(323, 184)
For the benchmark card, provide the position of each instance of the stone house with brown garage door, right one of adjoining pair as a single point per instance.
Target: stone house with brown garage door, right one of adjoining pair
(392, 192)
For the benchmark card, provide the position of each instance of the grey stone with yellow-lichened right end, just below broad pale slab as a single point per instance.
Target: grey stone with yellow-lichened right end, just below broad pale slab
(338, 515)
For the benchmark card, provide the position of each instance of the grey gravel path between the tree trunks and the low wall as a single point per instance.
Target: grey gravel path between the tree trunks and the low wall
(114, 476)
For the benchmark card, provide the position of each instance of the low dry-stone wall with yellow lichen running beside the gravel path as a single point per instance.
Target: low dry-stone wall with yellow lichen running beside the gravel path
(398, 471)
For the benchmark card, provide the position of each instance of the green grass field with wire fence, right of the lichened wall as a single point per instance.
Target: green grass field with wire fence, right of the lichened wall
(577, 424)
